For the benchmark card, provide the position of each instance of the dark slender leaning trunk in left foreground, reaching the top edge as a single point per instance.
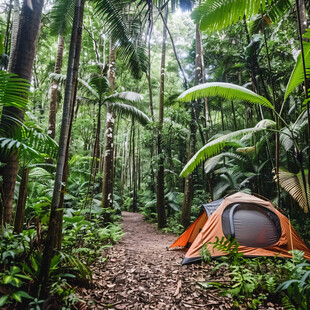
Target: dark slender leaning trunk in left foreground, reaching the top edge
(52, 228)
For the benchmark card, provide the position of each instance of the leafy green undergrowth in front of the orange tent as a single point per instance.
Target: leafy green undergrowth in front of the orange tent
(254, 280)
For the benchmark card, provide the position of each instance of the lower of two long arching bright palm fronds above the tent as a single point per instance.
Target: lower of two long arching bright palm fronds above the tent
(214, 147)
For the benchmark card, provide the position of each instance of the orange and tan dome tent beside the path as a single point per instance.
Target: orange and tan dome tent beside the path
(259, 228)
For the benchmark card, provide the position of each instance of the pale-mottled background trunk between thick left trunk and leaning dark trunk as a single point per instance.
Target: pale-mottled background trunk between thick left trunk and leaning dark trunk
(54, 89)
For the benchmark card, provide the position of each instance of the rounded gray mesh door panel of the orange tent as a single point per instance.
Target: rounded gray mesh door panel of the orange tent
(252, 225)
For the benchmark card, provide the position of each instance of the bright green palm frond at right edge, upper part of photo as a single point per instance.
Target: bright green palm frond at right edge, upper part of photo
(297, 76)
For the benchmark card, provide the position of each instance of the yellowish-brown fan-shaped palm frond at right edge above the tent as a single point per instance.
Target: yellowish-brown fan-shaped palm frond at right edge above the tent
(293, 184)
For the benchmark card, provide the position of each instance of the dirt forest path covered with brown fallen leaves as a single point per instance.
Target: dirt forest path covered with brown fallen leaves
(141, 274)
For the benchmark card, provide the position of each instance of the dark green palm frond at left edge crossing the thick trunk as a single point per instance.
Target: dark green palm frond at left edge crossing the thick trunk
(13, 90)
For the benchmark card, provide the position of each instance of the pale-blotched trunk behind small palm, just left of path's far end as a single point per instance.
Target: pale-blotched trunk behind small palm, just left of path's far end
(108, 167)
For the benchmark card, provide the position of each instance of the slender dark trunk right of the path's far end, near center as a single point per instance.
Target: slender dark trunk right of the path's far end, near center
(161, 212)
